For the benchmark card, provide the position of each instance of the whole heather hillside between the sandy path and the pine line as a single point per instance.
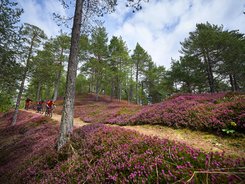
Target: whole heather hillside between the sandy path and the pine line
(217, 113)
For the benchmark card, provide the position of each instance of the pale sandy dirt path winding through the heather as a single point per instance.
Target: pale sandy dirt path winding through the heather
(200, 140)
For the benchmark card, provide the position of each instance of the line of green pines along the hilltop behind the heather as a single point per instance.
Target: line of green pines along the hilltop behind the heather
(212, 61)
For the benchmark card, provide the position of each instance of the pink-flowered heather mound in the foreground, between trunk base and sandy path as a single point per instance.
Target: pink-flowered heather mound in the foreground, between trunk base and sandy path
(102, 154)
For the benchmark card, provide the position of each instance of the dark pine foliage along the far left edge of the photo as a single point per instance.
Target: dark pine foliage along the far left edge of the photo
(10, 69)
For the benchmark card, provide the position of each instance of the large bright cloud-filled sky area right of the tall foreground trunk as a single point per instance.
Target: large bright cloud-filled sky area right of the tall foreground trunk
(162, 25)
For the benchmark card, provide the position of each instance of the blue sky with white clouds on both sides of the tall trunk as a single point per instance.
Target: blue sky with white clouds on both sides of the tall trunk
(159, 27)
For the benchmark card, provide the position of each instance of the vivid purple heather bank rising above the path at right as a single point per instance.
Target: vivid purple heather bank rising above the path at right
(209, 112)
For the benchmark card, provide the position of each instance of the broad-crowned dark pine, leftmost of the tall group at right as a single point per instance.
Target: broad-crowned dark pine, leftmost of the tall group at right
(203, 43)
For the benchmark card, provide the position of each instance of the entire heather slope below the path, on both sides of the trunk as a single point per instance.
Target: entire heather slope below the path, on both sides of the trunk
(98, 153)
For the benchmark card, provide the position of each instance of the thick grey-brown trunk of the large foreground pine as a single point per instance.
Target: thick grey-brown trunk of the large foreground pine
(66, 125)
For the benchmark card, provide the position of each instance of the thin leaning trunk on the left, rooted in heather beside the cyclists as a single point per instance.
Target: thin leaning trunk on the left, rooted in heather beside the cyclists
(22, 83)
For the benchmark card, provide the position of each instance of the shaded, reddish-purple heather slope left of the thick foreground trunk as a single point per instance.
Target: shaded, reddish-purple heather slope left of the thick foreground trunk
(30, 139)
